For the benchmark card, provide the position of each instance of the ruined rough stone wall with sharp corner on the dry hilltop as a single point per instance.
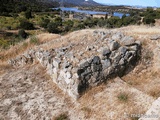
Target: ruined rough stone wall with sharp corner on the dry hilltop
(76, 67)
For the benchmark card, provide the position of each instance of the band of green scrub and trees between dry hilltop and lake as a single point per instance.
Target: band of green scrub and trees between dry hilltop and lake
(19, 20)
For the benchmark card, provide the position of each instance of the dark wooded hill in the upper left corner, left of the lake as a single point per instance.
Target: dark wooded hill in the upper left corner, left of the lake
(16, 6)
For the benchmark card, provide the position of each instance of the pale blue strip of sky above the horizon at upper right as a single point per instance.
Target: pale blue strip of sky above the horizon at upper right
(131, 2)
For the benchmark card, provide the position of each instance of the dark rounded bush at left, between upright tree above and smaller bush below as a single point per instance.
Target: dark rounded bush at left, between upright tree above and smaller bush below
(24, 24)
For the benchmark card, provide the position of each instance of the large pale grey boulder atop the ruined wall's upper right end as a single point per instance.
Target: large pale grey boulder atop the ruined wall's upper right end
(127, 41)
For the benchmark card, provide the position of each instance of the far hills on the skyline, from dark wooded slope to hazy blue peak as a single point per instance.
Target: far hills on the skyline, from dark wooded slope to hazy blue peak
(14, 6)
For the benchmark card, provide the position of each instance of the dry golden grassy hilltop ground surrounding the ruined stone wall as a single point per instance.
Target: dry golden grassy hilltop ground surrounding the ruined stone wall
(27, 91)
